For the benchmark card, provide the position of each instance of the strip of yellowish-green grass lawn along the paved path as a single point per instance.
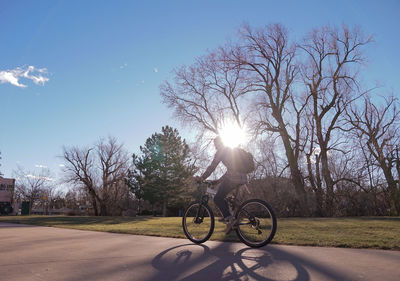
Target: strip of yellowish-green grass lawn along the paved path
(360, 232)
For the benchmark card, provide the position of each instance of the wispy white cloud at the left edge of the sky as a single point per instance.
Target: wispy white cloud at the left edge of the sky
(12, 76)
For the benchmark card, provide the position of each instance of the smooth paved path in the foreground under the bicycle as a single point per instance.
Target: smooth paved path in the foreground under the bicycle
(46, 253)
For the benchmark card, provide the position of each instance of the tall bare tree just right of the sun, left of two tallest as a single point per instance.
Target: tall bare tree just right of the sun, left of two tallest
(269, 59)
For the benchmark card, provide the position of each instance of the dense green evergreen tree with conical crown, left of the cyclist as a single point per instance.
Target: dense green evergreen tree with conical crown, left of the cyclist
(161, 173)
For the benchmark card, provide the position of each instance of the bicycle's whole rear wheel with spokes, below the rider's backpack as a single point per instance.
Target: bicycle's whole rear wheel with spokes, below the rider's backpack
(256, 223)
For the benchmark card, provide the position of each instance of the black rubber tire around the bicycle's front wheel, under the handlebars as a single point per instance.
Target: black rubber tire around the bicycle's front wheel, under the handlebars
(188, 220)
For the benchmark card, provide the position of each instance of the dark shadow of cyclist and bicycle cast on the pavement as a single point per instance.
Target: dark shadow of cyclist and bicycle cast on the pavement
(199, 262)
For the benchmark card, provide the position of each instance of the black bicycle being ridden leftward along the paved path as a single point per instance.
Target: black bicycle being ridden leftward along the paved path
(255, 220)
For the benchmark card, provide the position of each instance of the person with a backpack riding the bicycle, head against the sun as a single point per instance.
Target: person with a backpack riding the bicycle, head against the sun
(233, 177)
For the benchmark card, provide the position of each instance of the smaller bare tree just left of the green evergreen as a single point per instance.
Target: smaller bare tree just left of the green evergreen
(100, 170)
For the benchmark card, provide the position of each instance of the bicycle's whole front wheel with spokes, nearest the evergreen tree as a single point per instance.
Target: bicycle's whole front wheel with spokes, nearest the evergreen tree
(198, 222)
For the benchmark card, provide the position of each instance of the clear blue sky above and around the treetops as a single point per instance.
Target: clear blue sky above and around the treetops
(104, 61)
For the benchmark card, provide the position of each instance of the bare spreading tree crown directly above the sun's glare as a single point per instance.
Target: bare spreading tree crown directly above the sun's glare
(207, 94)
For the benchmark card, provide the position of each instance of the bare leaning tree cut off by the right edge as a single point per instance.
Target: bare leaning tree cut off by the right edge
(378, 128)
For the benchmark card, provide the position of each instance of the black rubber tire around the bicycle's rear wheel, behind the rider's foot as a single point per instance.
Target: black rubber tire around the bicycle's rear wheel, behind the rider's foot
(270, 220)
